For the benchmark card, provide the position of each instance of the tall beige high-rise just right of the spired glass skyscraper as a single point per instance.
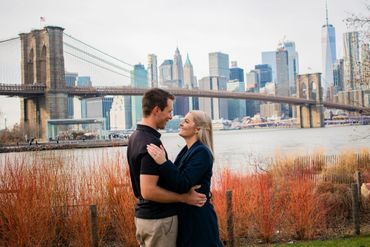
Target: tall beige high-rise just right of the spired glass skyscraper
(352, 74)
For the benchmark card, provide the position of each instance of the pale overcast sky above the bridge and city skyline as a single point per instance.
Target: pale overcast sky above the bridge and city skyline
(130, 30)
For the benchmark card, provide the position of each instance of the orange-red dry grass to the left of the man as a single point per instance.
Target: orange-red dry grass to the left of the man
(50, 203)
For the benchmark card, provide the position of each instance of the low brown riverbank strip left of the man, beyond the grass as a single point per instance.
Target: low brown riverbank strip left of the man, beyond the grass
(61, 145)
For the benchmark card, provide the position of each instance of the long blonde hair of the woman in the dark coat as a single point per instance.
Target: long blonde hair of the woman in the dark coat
(204, 123)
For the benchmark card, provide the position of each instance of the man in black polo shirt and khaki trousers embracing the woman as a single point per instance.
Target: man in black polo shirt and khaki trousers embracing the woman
(156, 209)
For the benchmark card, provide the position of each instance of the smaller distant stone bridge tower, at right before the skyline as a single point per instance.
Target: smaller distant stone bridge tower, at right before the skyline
(309, 87)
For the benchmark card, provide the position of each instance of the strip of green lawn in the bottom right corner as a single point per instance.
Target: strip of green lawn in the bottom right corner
(362, 241)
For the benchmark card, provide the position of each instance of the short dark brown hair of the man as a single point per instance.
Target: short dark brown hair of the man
(155, 97)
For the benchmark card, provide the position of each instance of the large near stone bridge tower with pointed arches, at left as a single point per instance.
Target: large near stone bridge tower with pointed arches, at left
(42, 62)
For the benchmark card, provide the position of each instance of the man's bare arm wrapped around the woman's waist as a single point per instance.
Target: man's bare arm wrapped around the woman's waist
(151, 191)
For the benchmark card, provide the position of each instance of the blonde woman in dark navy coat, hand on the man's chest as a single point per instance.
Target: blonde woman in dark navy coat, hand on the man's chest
(193, 166)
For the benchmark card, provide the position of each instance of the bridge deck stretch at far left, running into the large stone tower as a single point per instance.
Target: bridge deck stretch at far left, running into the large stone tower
(22, 89)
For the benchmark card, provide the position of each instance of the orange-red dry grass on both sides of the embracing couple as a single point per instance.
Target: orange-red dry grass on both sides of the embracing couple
(44, 201)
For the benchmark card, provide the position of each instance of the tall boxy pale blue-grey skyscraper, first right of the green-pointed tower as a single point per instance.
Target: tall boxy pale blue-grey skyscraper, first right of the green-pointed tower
(219, 65)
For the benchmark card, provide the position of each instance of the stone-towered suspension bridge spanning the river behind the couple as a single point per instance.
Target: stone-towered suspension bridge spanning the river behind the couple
(43, 90)
